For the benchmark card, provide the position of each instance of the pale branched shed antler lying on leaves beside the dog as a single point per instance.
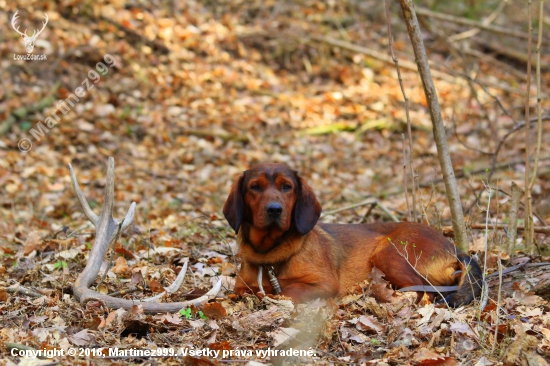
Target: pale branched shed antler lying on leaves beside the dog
(106, 229)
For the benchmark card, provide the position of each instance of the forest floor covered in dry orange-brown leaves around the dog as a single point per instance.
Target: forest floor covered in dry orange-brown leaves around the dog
(191, 95)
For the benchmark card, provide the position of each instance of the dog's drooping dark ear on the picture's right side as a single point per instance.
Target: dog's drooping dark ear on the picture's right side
(307, 209)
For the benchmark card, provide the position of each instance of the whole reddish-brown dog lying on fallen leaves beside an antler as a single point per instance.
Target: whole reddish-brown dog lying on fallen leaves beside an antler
(274, 213)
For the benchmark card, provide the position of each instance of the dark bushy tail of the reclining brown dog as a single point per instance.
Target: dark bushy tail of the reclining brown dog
(470, 284)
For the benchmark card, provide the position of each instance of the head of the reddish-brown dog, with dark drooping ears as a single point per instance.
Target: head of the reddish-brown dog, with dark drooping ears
(271, 195)
